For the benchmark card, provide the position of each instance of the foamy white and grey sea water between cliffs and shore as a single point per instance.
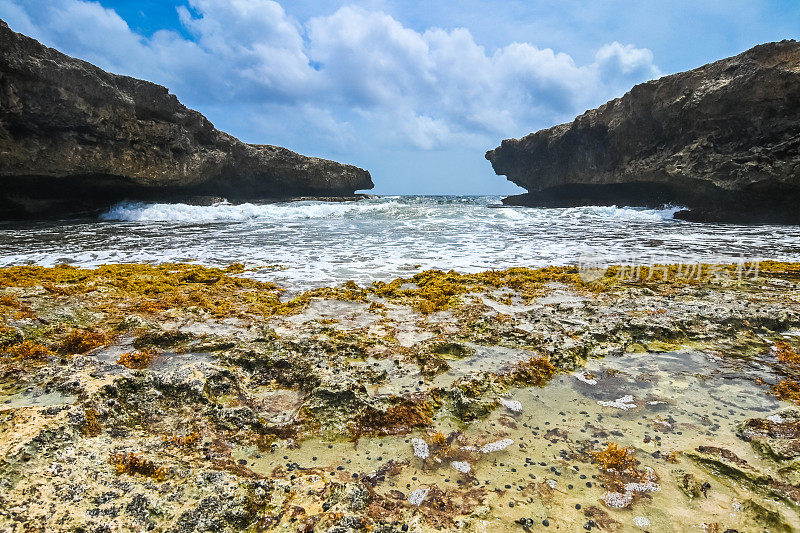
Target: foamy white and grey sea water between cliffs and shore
(302, 245)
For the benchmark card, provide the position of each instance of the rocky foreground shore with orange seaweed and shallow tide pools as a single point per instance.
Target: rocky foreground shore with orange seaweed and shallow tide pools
(189, 398)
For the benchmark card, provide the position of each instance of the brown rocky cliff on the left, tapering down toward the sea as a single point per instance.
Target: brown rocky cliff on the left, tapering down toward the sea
(74, 137)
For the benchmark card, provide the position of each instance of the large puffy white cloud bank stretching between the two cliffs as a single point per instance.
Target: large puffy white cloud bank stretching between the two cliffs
(352, 73)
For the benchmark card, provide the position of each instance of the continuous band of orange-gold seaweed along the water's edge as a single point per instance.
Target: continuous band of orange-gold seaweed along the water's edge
(152, 289)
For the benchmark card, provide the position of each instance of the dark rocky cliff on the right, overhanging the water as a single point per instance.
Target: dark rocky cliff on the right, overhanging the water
(722, 140)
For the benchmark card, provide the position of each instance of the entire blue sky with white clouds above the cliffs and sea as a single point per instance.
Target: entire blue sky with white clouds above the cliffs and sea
(415, 92)
